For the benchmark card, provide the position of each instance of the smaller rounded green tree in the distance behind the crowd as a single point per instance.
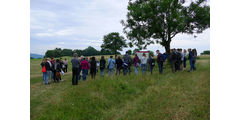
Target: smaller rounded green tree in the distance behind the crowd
(113, 42)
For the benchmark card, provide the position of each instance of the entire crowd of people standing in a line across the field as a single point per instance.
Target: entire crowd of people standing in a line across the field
(81, 65)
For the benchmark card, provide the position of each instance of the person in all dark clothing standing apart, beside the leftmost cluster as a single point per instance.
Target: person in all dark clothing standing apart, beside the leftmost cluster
(75, 69)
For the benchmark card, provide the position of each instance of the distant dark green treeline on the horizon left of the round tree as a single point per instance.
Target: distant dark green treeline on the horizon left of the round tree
(90, 51)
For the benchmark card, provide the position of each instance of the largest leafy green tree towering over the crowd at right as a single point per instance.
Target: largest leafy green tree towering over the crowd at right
(158, 21)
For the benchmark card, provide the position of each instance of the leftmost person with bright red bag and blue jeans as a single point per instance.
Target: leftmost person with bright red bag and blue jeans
(45, 70)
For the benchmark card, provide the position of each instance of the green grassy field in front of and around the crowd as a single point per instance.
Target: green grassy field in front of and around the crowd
(171, 96)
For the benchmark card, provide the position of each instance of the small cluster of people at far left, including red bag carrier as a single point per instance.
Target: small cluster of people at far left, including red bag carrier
(54, 69)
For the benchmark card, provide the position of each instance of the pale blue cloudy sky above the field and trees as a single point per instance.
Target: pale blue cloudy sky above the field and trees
(77, 24)
